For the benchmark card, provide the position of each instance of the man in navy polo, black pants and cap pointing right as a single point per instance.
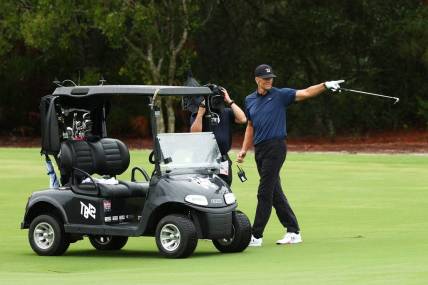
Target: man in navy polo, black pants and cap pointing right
(266, 130)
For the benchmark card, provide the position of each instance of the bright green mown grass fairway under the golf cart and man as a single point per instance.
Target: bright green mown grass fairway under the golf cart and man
(364, 220)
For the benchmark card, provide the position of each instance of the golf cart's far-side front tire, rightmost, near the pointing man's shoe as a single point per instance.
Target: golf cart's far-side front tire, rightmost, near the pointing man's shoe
(241, 235)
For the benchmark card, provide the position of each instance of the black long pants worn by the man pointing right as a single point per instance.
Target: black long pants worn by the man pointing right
(270, 156)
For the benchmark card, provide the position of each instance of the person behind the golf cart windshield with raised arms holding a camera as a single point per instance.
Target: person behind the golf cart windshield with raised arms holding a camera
(222, 131)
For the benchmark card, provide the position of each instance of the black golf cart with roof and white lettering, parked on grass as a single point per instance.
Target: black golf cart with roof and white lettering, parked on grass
(183, 200)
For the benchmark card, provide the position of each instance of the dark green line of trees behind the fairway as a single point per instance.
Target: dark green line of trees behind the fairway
(377, 45)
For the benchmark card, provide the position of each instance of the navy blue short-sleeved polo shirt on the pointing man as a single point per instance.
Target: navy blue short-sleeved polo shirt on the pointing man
(268, 113)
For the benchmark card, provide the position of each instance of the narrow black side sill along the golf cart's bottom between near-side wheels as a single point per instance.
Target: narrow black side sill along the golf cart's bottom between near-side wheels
(127, 229)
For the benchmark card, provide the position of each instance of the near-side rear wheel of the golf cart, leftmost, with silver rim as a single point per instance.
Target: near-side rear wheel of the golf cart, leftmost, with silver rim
(46, 236)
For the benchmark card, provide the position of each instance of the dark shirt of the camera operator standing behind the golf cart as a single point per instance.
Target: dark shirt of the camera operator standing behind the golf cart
(222, 131)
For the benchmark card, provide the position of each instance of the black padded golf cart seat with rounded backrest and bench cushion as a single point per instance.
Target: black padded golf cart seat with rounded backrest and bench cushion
(106, 157)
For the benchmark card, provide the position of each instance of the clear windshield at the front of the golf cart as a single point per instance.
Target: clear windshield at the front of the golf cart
(182, 151)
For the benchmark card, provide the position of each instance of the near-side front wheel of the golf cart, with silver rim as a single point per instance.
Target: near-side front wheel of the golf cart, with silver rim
(183, 243)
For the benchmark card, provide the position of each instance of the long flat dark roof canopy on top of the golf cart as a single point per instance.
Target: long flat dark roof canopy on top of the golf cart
(142, 90)
